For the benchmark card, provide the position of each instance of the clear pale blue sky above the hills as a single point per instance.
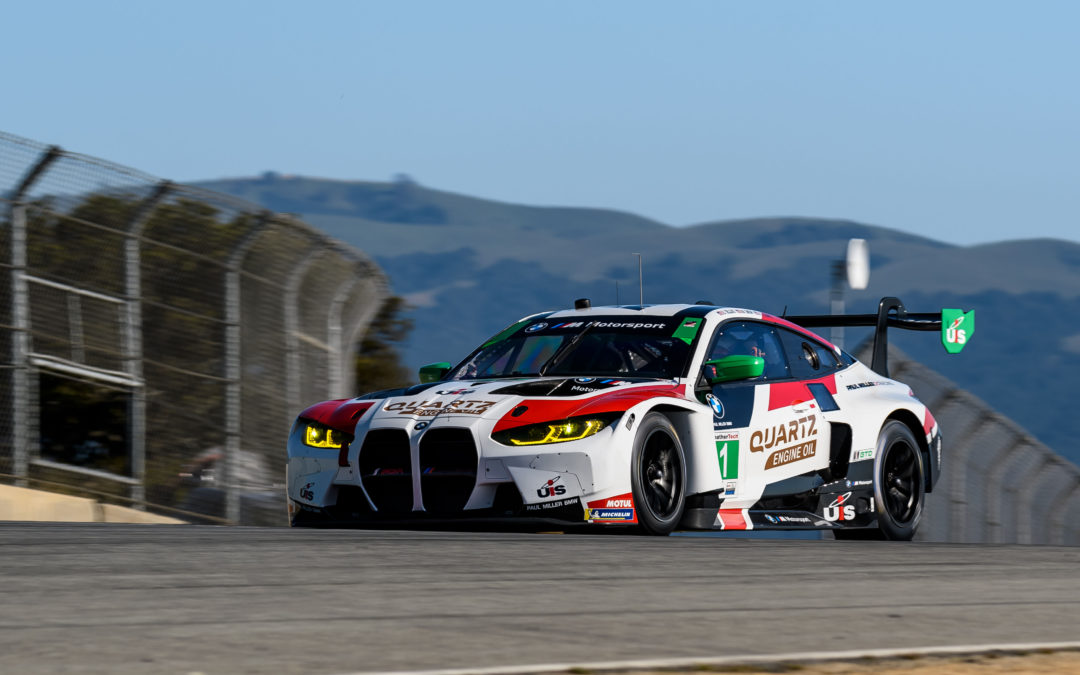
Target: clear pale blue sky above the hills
(954, 120)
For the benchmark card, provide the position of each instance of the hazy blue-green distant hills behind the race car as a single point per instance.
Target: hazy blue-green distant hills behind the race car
(471, 266)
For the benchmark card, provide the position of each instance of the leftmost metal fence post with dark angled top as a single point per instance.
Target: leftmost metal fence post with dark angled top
(21, 321)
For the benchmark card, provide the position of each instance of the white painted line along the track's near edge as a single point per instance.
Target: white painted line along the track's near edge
(745, 659)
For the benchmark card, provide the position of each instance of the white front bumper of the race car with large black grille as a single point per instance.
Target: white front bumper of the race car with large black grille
(450, 470)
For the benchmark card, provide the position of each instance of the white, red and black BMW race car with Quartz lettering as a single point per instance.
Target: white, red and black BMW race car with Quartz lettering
(658, 417)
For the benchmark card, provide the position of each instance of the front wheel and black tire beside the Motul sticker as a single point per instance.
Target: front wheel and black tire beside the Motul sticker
(658, 476)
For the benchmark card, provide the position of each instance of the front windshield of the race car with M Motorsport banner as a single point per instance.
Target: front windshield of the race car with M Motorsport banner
(614, 347)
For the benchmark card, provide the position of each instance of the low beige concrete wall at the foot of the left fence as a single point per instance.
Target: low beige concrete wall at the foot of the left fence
(20, 504)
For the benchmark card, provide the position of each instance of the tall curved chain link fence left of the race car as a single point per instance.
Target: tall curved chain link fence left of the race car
(158, 340)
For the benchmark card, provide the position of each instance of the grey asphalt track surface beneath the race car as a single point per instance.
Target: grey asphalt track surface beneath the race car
(142, 599)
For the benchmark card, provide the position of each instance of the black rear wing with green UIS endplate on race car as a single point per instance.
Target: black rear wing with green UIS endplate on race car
(955, 326)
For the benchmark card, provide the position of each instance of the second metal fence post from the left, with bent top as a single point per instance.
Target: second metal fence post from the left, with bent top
(133, 337)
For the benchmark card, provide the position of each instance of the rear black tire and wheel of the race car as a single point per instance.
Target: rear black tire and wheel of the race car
(899, 482)
